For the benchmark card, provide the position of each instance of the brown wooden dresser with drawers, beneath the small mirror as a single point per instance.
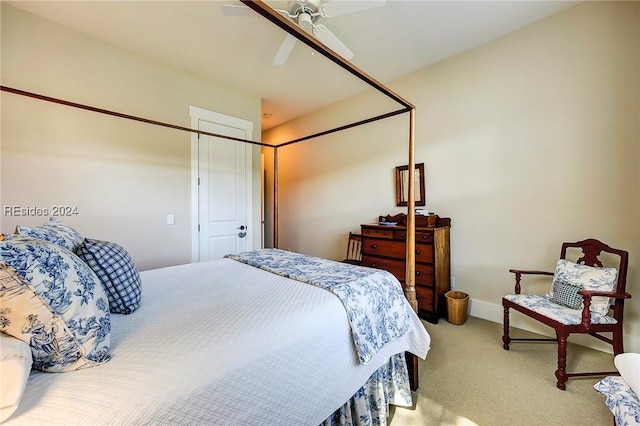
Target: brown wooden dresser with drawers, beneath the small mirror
(384, 247)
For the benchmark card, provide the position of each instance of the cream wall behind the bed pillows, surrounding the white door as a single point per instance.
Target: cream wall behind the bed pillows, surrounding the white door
(123, 176)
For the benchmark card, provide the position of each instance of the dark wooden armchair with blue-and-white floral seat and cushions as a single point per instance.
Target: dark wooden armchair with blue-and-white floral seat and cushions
(584, 298)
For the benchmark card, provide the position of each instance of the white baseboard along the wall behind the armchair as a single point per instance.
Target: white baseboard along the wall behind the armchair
(494, 313)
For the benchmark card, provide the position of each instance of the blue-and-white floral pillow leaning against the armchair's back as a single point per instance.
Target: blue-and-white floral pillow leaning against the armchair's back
(590, 278)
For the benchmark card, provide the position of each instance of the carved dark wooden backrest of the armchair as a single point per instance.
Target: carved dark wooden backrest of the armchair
(593, 251)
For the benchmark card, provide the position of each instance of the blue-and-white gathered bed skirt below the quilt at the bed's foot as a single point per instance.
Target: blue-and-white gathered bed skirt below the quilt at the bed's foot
(370, 404)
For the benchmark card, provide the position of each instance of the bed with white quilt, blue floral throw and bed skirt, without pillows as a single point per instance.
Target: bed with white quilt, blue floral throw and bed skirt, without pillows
(264, 337)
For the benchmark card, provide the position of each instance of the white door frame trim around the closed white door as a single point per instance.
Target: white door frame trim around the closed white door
(196, 115)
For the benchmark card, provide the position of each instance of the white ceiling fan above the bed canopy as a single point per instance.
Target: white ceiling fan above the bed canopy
(307, 13)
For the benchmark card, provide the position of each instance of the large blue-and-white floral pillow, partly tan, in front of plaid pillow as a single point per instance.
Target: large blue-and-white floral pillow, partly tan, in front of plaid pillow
(54, 302)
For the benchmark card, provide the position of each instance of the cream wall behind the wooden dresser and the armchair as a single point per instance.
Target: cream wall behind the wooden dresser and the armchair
(528, 141)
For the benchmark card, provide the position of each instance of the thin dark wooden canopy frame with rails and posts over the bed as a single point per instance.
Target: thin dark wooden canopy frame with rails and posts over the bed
(267, 12)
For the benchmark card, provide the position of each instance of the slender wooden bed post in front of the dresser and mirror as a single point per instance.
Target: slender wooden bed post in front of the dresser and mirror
(410, 289)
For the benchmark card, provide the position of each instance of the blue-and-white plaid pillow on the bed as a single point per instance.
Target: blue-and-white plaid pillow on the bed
(119, 276)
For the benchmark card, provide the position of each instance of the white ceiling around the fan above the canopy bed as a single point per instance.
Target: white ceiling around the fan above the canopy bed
(388, 42)
